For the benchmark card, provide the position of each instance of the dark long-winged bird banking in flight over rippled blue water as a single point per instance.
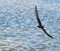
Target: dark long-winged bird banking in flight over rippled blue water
(39, 22)
